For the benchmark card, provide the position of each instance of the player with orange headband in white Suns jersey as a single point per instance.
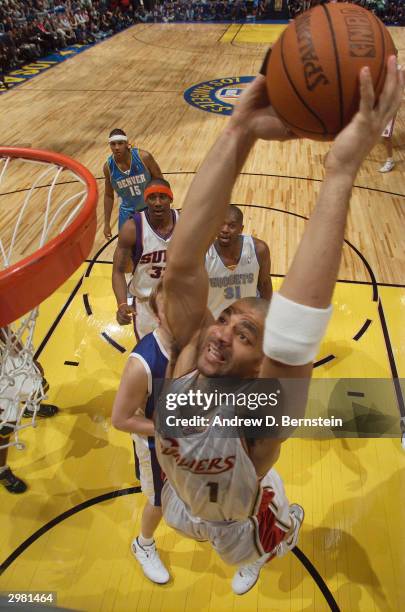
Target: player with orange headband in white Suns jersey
(144, 239)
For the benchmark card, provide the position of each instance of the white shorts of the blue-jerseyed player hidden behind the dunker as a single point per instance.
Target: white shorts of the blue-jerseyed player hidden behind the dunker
(147, 469)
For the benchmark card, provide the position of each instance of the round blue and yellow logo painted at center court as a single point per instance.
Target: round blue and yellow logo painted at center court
(217, 96)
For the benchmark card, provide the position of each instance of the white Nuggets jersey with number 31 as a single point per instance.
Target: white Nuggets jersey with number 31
(225, 285)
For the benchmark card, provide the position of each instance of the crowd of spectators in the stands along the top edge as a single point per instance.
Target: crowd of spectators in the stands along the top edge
(30, 29)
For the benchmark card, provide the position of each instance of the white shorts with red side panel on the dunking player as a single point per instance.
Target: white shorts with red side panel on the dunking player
(236, 542)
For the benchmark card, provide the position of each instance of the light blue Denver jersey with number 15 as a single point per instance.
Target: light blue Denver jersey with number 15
(130, 185)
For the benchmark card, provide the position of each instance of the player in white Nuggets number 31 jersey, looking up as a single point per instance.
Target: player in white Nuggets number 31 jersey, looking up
(237, 265)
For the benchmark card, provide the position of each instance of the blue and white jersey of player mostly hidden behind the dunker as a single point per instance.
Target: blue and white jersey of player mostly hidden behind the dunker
(154, 358)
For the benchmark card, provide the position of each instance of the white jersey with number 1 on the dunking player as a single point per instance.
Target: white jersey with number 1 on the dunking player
(212, 474)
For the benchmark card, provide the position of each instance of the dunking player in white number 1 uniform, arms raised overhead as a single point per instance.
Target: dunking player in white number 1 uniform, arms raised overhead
(212, 486)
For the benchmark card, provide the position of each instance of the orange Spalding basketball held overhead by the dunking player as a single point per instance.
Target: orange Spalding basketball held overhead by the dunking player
(313, 71)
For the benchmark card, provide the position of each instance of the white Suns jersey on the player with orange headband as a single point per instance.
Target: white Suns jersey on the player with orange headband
(148, 255)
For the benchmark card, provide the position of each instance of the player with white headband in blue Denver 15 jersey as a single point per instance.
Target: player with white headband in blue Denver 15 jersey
(126, 172)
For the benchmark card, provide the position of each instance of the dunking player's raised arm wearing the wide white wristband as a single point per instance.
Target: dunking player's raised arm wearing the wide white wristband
(299, 314)
